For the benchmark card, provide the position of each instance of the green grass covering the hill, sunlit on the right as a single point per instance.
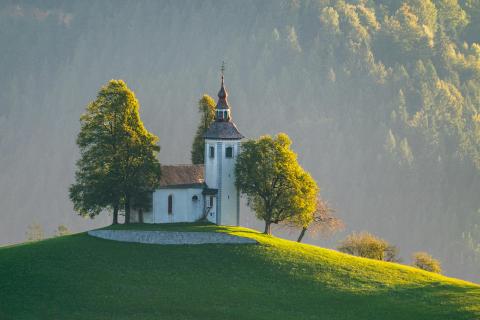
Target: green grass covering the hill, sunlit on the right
(81, 277)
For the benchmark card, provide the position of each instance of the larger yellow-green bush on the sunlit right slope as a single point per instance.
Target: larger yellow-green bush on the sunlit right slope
(368, 246)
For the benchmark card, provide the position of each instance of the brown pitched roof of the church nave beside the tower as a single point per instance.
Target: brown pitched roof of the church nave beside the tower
(183, 175)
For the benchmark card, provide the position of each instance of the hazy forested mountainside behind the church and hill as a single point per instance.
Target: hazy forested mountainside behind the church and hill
(381, 99)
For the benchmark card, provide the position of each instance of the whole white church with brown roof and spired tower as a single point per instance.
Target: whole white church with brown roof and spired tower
(188, 193)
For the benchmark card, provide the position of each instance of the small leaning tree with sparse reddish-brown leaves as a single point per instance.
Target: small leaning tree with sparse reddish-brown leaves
(321, 220)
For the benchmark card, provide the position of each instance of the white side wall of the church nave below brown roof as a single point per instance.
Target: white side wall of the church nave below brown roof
(184, 209)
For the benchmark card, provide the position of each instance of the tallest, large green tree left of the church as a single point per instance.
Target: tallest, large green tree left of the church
(118, 166)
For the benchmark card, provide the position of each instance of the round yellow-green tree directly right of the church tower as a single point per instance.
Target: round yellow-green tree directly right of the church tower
(276, 186)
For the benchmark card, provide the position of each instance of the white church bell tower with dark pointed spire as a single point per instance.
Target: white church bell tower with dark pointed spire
(222, 146)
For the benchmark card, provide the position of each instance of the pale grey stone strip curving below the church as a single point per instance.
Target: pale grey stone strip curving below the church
(169, 237)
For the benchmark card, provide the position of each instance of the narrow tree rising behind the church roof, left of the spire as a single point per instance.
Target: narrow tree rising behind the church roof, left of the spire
(206, 107)
